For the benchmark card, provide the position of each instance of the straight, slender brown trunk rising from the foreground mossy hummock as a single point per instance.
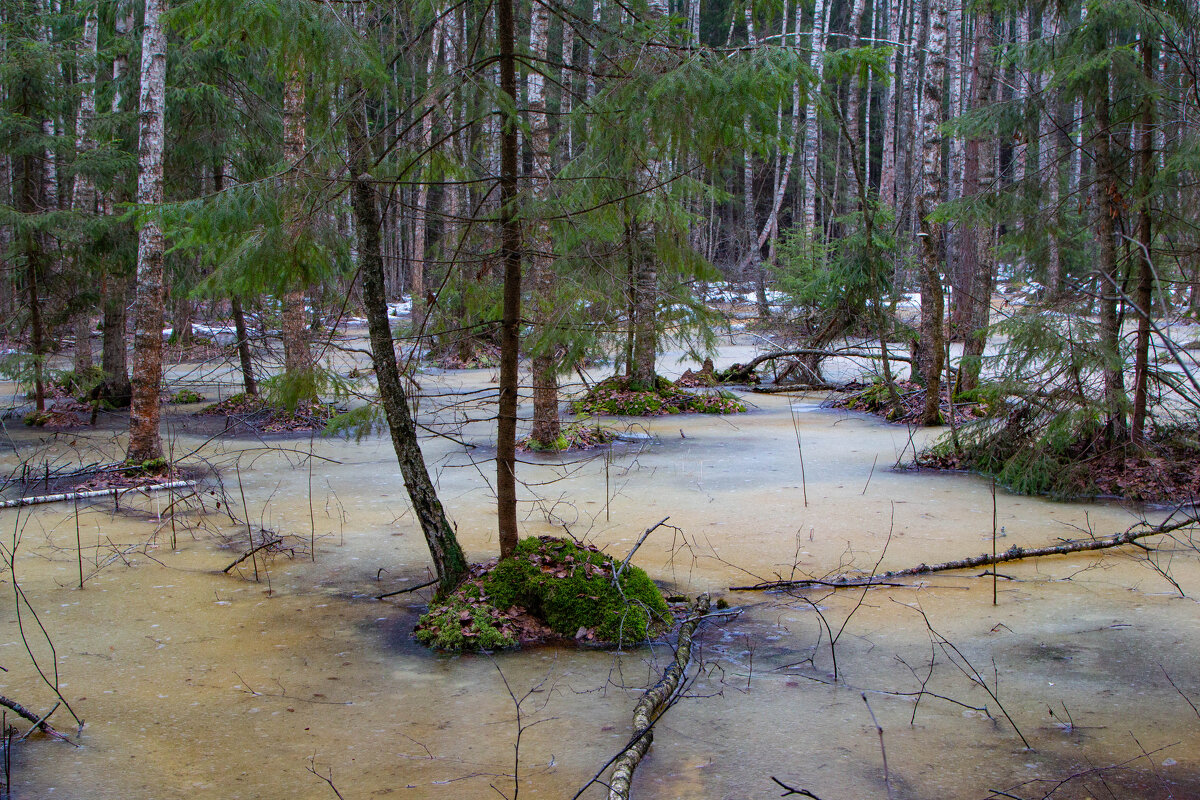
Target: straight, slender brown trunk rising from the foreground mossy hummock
(511, 255)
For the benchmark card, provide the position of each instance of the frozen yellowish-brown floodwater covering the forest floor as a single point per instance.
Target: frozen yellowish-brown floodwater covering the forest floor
(200, 684)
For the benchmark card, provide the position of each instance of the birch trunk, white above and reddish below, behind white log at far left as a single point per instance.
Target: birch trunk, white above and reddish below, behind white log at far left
(146, 444)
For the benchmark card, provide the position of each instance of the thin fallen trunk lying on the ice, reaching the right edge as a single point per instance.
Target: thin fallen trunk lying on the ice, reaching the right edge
(985, 560)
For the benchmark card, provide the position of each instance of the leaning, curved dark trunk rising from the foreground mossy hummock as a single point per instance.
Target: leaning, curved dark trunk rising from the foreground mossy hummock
(448, 557)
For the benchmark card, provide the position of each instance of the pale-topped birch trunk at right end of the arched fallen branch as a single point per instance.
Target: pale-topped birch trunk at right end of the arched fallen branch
(933, 334)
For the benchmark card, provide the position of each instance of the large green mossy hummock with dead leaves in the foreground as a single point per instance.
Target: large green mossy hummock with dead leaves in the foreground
(551, 588)
